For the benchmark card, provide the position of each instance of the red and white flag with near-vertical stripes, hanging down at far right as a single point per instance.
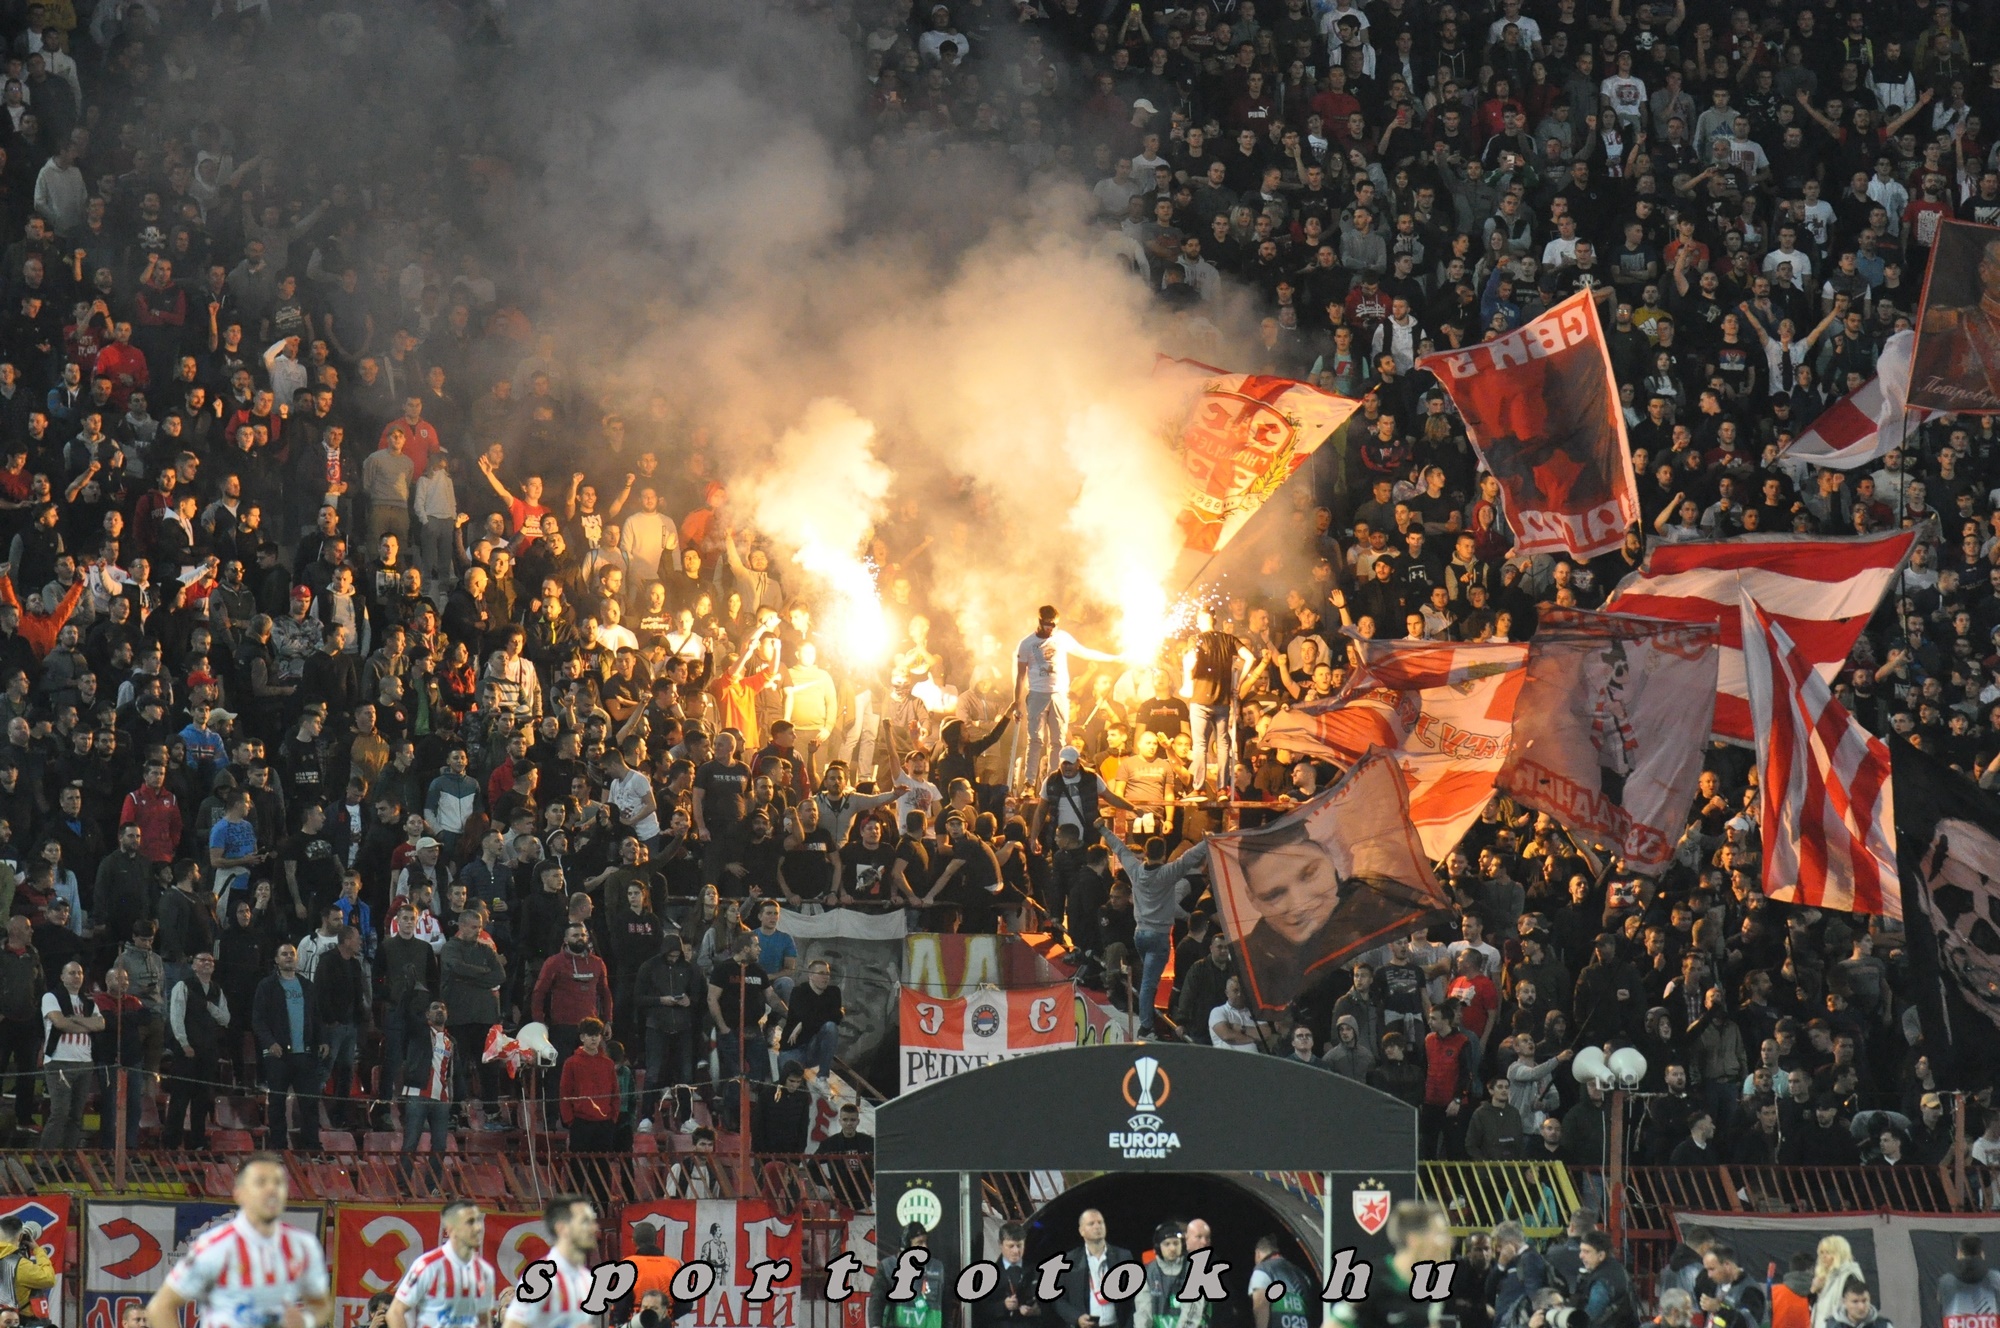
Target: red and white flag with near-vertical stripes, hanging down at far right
(1825, 801)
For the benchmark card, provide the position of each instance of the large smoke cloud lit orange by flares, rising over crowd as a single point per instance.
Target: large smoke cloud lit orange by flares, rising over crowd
(855, 325)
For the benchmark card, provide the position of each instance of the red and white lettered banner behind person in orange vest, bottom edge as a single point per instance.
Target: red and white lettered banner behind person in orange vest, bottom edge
(731, 1237)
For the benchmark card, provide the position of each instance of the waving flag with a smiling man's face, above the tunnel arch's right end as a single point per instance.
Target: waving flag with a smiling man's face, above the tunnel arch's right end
(1341, 875)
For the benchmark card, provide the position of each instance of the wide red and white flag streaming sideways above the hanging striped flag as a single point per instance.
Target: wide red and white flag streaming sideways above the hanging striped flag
(1819, 591)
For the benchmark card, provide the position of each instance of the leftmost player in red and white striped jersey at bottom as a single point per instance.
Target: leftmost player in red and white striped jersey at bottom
(255, 1271)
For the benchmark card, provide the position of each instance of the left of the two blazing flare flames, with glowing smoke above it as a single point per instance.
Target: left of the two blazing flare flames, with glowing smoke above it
(821, 497)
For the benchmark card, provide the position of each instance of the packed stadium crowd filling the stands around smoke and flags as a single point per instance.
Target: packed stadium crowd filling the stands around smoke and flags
(371, 679)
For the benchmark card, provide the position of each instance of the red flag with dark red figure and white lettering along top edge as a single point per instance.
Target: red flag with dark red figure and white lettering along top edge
(1543, 411)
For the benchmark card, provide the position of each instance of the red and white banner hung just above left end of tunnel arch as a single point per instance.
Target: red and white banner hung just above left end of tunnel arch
(951, 1035)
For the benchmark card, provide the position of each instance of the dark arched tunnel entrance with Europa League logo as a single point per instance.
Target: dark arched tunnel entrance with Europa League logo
(1253, 1145)
